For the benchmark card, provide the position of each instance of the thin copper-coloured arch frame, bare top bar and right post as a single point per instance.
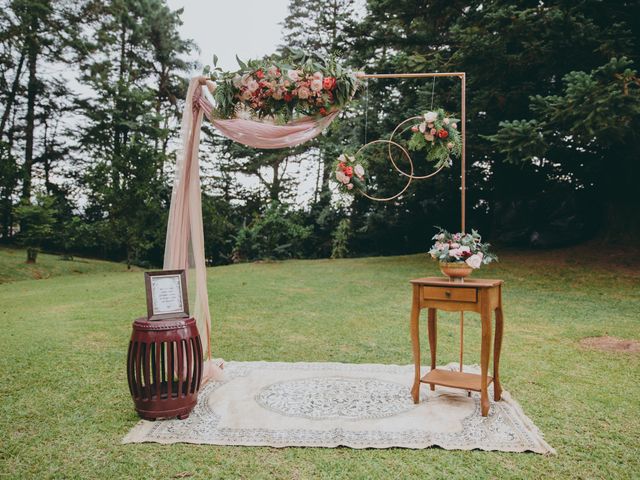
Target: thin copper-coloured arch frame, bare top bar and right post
(463, 169)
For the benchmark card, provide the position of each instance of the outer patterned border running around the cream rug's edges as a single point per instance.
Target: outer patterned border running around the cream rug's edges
(141, 432)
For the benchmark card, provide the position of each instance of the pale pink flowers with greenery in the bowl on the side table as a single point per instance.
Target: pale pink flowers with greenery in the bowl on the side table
(461, 247)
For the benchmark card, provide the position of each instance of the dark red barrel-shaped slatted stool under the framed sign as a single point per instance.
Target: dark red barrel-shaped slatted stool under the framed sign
(164, 367)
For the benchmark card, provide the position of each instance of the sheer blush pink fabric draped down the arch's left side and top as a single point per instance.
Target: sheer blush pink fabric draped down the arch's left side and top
(185, 238)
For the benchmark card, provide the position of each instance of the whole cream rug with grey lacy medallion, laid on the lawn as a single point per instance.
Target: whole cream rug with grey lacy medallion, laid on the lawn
(336, 404)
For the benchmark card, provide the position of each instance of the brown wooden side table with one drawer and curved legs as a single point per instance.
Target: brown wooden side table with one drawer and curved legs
(473, 295)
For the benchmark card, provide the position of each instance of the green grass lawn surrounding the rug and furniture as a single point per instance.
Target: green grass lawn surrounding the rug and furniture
(65, 405)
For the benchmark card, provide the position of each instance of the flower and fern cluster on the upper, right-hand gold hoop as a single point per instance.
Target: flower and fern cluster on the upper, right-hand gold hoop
(438, 134)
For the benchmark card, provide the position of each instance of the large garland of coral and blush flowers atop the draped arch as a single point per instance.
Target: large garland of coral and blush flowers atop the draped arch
(282, 87)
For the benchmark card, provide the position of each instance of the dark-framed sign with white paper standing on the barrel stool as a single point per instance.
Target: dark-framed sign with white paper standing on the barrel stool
(166, 294)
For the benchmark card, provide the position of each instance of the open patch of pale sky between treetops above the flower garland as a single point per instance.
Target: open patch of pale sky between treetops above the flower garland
(248, 28)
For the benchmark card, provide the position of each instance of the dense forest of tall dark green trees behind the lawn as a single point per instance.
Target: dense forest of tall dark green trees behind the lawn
(91, 95)
